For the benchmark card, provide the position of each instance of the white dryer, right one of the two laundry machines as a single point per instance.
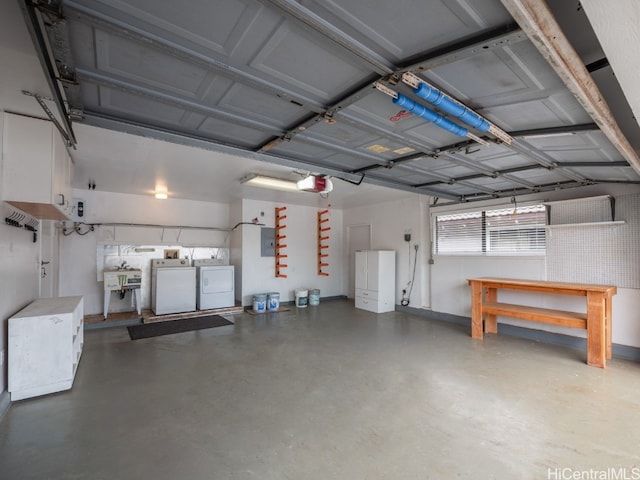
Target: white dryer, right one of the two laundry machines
(215, 284)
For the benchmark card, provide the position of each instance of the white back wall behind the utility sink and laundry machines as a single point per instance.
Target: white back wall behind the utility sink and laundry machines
(78, 266)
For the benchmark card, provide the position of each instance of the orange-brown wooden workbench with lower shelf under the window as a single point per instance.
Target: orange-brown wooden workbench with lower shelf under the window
(596, 320)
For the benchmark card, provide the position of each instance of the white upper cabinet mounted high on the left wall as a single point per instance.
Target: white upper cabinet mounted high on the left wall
(36, 168)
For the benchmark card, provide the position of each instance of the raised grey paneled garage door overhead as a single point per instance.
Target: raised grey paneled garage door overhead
(294, 80)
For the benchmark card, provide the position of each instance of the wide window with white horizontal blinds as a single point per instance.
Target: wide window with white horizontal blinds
(519, 230)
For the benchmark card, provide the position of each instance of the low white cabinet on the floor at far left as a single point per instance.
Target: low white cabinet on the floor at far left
(45, 344)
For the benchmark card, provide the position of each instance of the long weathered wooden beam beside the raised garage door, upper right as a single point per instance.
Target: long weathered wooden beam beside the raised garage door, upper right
(537, 21)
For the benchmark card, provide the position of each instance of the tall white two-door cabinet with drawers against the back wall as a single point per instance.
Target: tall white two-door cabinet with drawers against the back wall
(376, 280)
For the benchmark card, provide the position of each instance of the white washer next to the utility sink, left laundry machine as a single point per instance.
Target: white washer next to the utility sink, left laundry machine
(173, 286)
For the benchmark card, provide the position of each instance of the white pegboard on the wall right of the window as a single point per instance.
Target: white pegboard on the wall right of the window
(595, 253)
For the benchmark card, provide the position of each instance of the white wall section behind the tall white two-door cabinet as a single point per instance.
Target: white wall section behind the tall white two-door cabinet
(389, 221)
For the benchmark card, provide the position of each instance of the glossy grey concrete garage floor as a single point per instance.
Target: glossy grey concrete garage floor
(328, 392)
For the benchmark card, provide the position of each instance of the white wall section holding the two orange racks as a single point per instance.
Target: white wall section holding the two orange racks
(258, 274)
